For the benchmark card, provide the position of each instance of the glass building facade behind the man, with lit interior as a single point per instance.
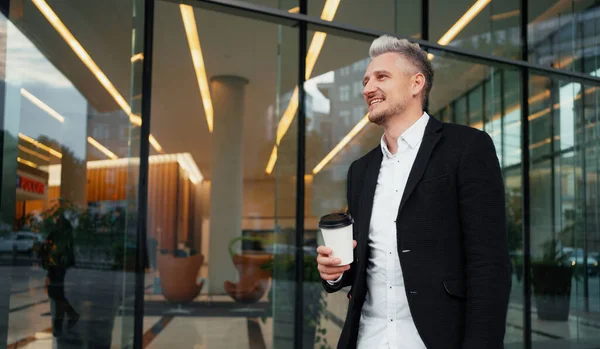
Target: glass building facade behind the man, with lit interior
(164, 163)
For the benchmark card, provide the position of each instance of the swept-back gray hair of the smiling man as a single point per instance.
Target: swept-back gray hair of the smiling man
(411, 51)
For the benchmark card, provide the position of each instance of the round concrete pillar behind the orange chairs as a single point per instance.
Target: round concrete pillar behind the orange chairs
(227, 94)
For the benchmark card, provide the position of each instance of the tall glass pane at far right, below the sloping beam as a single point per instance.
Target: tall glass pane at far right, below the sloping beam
(564, 235)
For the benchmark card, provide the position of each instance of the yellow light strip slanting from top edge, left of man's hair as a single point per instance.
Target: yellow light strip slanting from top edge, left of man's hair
(314, 50)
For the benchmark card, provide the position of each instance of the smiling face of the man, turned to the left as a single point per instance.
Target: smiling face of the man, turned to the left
(388, 86)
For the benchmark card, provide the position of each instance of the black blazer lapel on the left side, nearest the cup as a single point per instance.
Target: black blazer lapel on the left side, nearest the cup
(366, 199)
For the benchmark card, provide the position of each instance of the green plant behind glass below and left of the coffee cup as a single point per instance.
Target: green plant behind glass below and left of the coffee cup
(314, 301)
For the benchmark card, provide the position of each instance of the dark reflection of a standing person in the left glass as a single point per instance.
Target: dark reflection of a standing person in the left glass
(57, 256)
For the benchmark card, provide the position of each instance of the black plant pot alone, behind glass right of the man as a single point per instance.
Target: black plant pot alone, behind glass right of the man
(552, 290)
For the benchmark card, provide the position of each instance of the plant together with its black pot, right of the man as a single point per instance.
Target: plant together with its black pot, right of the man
(551, 280)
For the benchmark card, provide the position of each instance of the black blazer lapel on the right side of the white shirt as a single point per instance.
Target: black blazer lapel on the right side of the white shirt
(430, 139)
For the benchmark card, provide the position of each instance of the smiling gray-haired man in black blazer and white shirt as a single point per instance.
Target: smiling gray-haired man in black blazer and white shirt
(431, 263)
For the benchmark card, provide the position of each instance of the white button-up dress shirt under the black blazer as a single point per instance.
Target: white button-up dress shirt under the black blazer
(386, 321)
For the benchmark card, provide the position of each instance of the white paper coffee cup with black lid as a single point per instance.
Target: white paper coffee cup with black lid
(336, 229)
